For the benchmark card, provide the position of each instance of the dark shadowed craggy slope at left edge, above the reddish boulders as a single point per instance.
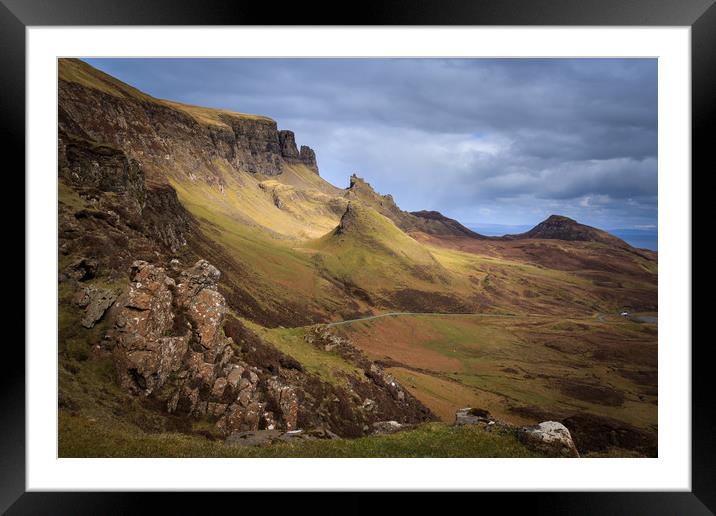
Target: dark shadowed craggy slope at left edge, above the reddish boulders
(109, 213)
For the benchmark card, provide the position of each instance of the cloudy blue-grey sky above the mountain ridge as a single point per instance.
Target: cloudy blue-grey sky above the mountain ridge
(486, 141)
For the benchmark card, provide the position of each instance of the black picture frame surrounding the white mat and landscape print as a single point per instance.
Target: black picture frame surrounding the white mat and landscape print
(700, 15)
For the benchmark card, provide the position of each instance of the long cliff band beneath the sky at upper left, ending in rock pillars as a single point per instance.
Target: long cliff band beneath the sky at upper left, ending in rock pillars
(169, 138)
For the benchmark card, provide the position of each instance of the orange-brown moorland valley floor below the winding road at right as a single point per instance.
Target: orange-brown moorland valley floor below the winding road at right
(520, 367)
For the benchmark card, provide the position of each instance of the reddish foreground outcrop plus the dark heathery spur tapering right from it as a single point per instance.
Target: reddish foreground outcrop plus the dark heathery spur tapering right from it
(169, 342)
